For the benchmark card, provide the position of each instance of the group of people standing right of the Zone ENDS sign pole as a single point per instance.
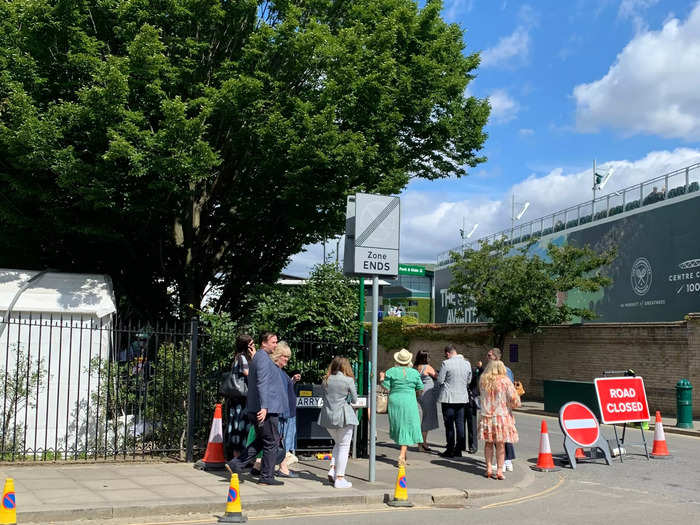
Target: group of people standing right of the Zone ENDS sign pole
(476, 404)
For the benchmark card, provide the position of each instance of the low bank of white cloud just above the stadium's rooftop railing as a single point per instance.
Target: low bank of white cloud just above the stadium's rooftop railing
(430, 221)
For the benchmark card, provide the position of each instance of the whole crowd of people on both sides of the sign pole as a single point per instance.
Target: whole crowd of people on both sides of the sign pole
(476, 403)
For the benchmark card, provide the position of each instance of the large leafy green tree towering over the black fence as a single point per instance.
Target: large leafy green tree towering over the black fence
(179, 144)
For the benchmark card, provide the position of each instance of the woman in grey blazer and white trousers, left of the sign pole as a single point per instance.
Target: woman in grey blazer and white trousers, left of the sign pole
(338, 417)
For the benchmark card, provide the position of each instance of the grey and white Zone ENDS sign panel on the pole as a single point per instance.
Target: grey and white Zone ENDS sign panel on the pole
(372, 235)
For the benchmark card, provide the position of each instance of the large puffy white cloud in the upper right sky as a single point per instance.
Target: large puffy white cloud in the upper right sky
(652, 87)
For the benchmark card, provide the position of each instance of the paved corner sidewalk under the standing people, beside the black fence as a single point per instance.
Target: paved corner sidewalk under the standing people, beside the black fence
(56, 492)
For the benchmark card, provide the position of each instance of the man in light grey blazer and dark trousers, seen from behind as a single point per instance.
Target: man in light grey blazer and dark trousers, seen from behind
(453, 381)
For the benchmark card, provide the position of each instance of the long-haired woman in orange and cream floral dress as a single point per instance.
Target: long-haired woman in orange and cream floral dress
(496, 424)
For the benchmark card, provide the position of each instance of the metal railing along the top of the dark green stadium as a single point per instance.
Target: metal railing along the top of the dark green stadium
(667, 186)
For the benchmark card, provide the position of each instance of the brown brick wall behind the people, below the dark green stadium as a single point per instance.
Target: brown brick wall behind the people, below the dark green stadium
(662, 353)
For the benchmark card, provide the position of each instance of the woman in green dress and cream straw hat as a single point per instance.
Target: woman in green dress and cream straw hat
(403, 383)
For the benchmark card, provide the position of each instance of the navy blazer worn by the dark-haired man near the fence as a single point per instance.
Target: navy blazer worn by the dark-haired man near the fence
(265, 386)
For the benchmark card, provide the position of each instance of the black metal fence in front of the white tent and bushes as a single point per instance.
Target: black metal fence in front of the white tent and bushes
(75, 388)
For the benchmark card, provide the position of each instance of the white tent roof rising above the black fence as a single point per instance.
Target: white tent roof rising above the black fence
(53, 292)
